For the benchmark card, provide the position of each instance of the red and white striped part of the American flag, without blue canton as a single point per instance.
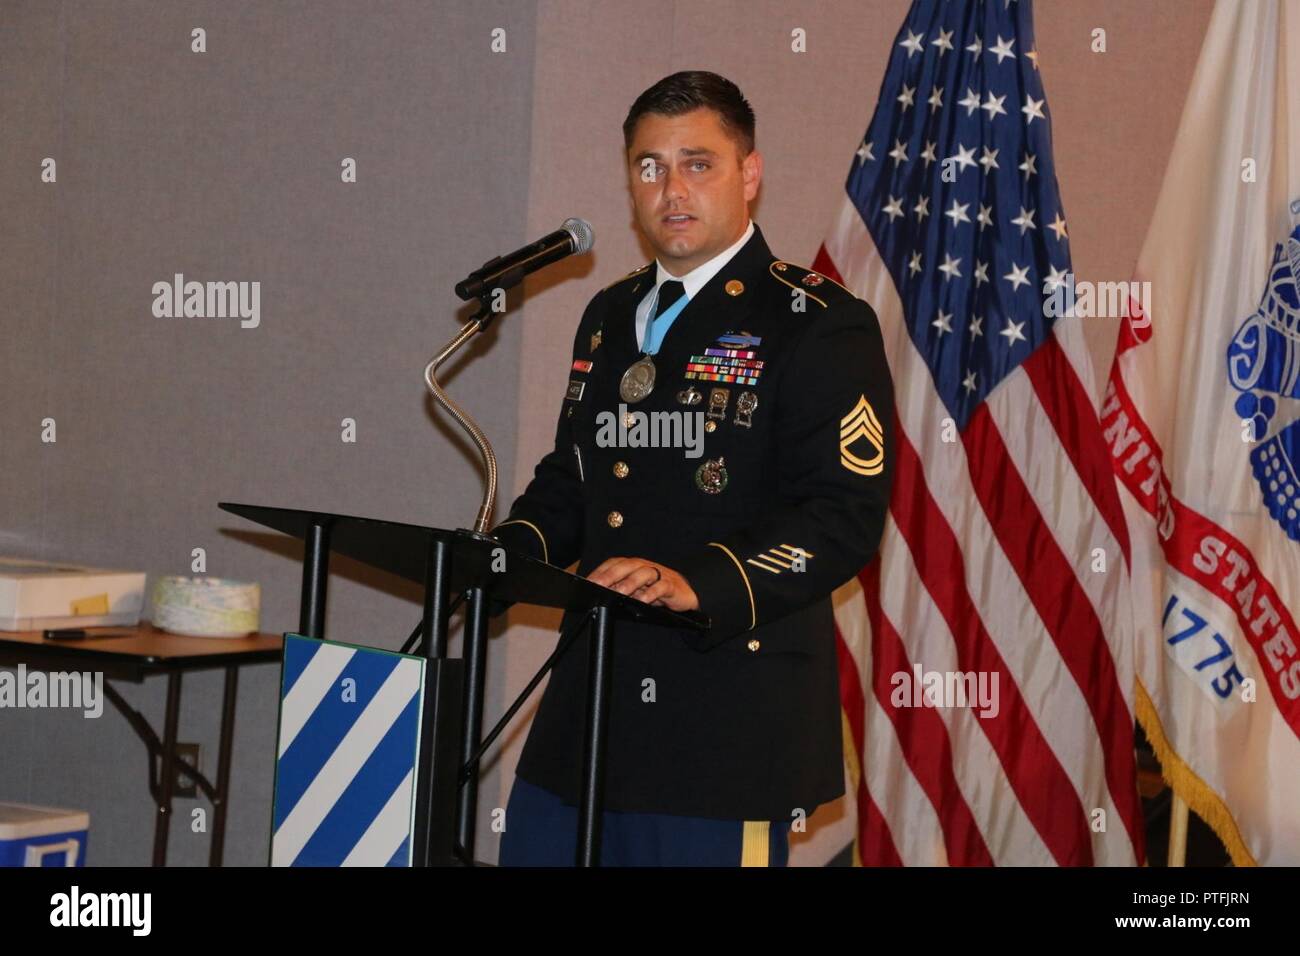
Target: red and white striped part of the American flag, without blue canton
(1006, 553)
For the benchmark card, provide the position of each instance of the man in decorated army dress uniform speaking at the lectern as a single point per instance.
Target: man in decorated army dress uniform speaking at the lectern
(773, 380)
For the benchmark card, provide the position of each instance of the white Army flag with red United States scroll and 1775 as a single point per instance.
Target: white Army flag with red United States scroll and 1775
(1202, 416)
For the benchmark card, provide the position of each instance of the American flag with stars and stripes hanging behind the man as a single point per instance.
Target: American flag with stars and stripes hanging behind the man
(1006, 552)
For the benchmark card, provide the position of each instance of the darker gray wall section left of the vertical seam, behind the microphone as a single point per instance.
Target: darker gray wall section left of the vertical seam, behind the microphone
(226, 166)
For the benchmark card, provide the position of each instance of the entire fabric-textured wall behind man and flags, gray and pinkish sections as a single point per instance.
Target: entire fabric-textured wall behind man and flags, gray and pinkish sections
(227, 167)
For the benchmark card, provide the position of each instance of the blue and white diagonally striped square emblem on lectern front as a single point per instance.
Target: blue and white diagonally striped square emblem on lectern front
(349, 741)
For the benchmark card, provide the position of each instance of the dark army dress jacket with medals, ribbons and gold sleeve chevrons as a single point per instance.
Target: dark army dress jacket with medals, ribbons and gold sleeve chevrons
(786, 503)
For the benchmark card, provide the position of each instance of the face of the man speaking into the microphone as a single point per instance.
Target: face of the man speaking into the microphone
(691, 187)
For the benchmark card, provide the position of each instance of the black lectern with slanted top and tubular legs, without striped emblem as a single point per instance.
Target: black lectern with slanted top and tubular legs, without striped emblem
(479, 569)
